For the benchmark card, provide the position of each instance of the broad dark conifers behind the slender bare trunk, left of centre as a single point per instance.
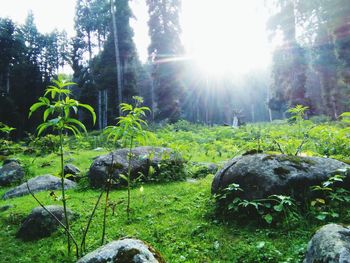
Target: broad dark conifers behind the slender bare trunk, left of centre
(116, 74)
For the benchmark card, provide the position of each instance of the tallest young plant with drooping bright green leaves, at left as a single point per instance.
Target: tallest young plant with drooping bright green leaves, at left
(57, 117)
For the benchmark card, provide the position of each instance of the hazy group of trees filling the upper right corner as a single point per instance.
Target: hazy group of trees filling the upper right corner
(311, 67)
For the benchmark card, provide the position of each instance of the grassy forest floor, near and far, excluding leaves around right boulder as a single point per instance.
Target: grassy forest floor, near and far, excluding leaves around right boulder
(177, 218)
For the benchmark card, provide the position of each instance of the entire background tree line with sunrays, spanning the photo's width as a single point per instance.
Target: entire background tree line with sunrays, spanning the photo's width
(310, 66)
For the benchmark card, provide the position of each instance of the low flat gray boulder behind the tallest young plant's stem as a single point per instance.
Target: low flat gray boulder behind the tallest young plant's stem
(39, 183)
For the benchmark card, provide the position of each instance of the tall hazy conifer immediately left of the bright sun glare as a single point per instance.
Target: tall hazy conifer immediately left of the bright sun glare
(164, 51)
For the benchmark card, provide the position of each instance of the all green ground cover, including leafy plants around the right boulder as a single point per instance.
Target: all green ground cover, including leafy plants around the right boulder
(178, 217)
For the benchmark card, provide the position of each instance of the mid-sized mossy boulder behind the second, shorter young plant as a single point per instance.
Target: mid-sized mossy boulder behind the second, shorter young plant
(166, 163)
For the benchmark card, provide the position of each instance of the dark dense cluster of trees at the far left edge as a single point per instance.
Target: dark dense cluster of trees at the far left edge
(28, 60)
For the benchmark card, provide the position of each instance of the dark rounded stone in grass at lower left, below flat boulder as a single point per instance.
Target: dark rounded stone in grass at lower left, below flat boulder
(39, 223)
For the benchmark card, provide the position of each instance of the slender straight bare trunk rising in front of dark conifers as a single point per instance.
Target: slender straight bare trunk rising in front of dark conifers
(119, 87)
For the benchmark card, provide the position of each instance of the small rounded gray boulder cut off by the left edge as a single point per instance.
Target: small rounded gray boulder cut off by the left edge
(11, 172)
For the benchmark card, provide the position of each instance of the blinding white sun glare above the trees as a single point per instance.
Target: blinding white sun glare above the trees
(225, 36)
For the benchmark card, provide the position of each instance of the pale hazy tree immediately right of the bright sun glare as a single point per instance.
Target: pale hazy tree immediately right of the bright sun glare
(289, 63)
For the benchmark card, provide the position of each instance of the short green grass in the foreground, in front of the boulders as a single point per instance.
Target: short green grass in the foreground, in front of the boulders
(176, 218)
